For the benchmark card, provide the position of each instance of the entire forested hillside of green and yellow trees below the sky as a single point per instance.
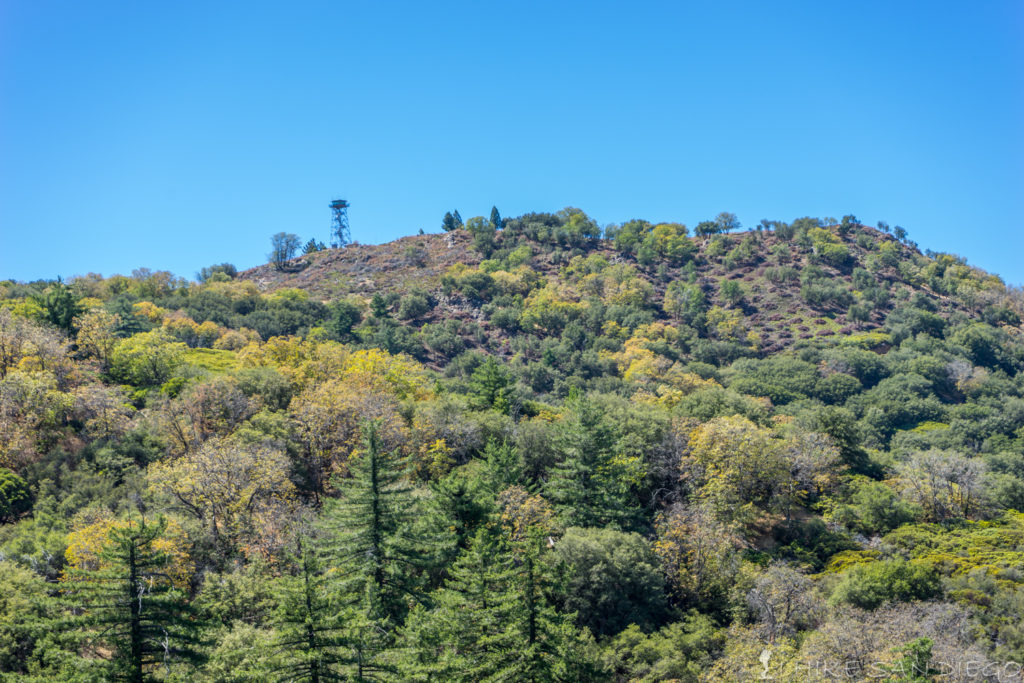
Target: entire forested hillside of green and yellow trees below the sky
(521, 450)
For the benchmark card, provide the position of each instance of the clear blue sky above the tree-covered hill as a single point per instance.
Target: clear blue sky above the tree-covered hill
(178, 135)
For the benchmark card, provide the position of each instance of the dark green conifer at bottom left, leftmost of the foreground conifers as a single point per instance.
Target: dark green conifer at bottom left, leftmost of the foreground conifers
(130, 605)
